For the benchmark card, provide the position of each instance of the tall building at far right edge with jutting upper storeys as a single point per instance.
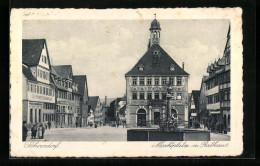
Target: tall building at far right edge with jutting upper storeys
(218, 91)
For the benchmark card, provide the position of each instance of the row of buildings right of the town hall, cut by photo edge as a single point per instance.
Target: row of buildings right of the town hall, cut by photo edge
(210, 106)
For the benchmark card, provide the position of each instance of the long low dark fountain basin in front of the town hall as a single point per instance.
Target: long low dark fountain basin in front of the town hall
(155, 135)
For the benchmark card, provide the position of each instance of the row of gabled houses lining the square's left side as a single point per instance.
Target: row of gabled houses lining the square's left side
(54, 93)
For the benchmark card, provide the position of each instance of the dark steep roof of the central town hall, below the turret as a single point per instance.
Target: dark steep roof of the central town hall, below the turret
(161, 68)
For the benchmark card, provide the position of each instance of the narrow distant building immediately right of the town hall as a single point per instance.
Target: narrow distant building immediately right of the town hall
(194, 108)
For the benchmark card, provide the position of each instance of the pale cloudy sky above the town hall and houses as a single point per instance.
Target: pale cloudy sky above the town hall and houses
(105, 50)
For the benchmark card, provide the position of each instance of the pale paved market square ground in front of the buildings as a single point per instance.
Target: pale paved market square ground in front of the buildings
(105, 133)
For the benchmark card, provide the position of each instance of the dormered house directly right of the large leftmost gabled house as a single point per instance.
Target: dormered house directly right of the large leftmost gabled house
(68, 97)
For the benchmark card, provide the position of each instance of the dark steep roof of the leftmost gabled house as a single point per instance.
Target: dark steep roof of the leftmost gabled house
(32, 49)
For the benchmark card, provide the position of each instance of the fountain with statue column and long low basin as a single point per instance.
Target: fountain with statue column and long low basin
(168, 129)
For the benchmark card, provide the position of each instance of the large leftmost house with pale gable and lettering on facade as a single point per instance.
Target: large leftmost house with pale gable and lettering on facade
(38, 91)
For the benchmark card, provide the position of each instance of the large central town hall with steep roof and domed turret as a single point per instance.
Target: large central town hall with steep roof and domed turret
(147, 82)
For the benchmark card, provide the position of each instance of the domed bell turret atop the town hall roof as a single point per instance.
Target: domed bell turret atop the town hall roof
(155, 32)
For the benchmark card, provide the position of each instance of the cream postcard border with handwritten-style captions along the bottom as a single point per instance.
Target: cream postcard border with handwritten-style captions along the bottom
(126, 149)
